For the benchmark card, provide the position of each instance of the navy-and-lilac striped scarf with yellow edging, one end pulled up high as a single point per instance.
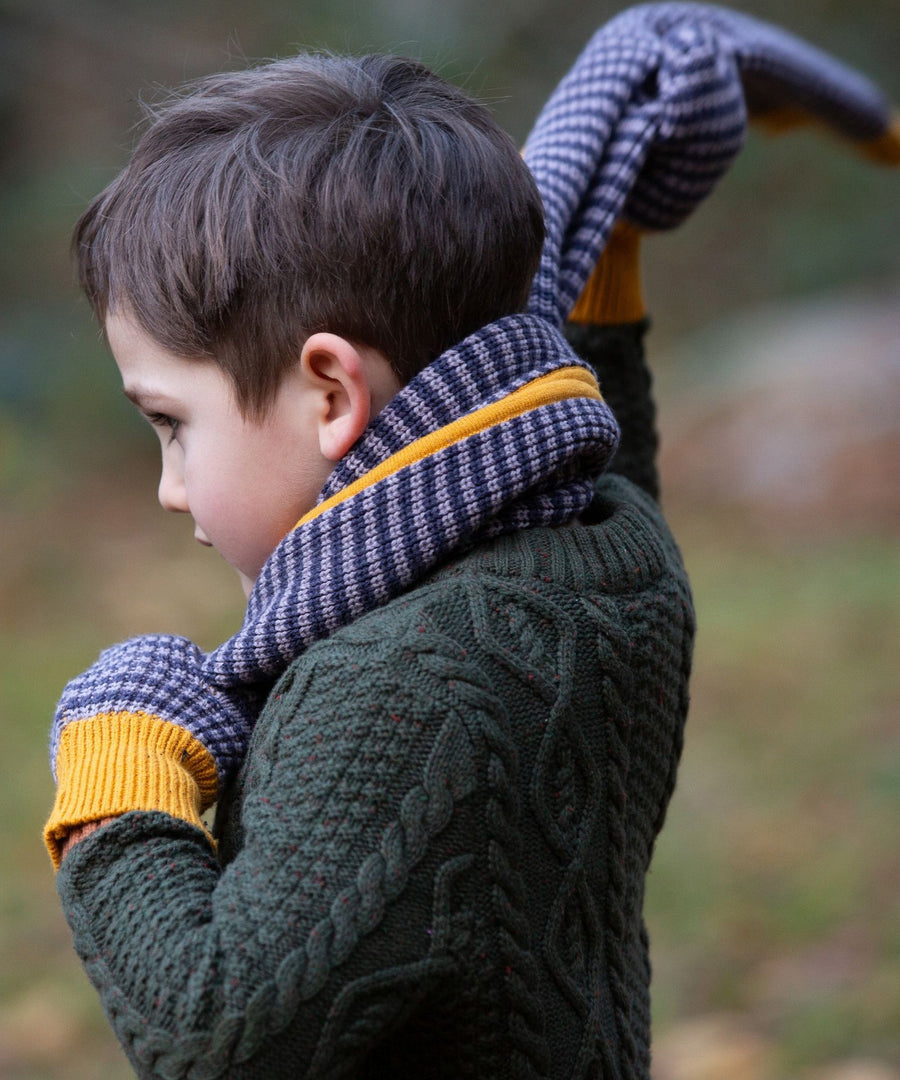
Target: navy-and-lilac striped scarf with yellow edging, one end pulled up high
(508, 430)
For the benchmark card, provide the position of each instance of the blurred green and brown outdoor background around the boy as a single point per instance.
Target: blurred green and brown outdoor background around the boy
(774, 898)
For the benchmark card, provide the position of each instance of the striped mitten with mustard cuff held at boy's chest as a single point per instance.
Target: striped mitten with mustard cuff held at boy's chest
(143, 730)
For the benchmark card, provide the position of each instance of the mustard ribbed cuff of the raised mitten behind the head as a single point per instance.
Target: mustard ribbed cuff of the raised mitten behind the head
(613, 293)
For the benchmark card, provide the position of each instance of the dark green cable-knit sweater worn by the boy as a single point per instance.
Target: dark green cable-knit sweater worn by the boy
(434, 861)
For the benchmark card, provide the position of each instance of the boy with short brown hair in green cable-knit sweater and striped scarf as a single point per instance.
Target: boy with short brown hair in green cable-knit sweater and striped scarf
(444, 742)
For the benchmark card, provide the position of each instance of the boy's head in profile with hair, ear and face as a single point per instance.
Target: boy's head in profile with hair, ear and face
(286, 249)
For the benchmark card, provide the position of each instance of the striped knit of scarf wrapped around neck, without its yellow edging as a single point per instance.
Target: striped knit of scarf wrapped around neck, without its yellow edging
(538, 469)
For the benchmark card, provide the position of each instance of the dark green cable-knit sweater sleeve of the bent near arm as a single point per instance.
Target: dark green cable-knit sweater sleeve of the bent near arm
(342, 911)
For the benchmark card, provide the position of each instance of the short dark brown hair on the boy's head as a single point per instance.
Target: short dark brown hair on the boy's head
(366, 197)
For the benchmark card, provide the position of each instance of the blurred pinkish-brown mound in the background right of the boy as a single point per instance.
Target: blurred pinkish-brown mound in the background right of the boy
(792, 415)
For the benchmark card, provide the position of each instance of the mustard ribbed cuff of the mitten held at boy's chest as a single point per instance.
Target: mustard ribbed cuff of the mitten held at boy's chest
(118, 762)
